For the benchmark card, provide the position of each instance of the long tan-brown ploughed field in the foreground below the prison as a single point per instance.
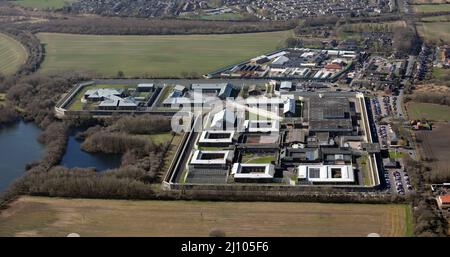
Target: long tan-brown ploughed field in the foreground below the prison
(41, 216)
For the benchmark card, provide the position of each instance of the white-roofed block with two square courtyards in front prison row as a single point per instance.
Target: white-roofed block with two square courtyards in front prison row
(326, 174)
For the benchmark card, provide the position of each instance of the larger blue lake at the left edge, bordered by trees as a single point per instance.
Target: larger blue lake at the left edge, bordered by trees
(18, 146)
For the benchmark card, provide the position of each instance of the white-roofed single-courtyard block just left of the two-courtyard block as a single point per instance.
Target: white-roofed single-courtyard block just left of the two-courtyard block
(253, 172)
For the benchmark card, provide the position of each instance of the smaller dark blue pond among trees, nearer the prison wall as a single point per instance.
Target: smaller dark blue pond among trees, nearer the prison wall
(75, 157)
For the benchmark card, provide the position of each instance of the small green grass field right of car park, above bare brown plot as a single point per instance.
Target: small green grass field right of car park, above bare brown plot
(434, 112)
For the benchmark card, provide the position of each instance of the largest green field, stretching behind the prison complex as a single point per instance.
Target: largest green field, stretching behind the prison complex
(160, 56)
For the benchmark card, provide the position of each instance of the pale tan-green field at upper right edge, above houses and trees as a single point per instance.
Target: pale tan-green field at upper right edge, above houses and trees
(434, 31)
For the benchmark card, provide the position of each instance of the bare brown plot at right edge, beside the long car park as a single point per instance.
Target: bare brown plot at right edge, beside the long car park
(435, 146)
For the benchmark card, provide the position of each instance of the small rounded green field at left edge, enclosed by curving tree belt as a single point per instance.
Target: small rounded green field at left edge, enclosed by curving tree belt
(12, 54)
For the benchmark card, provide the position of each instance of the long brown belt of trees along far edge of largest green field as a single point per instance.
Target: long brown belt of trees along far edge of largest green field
(137, 26)
